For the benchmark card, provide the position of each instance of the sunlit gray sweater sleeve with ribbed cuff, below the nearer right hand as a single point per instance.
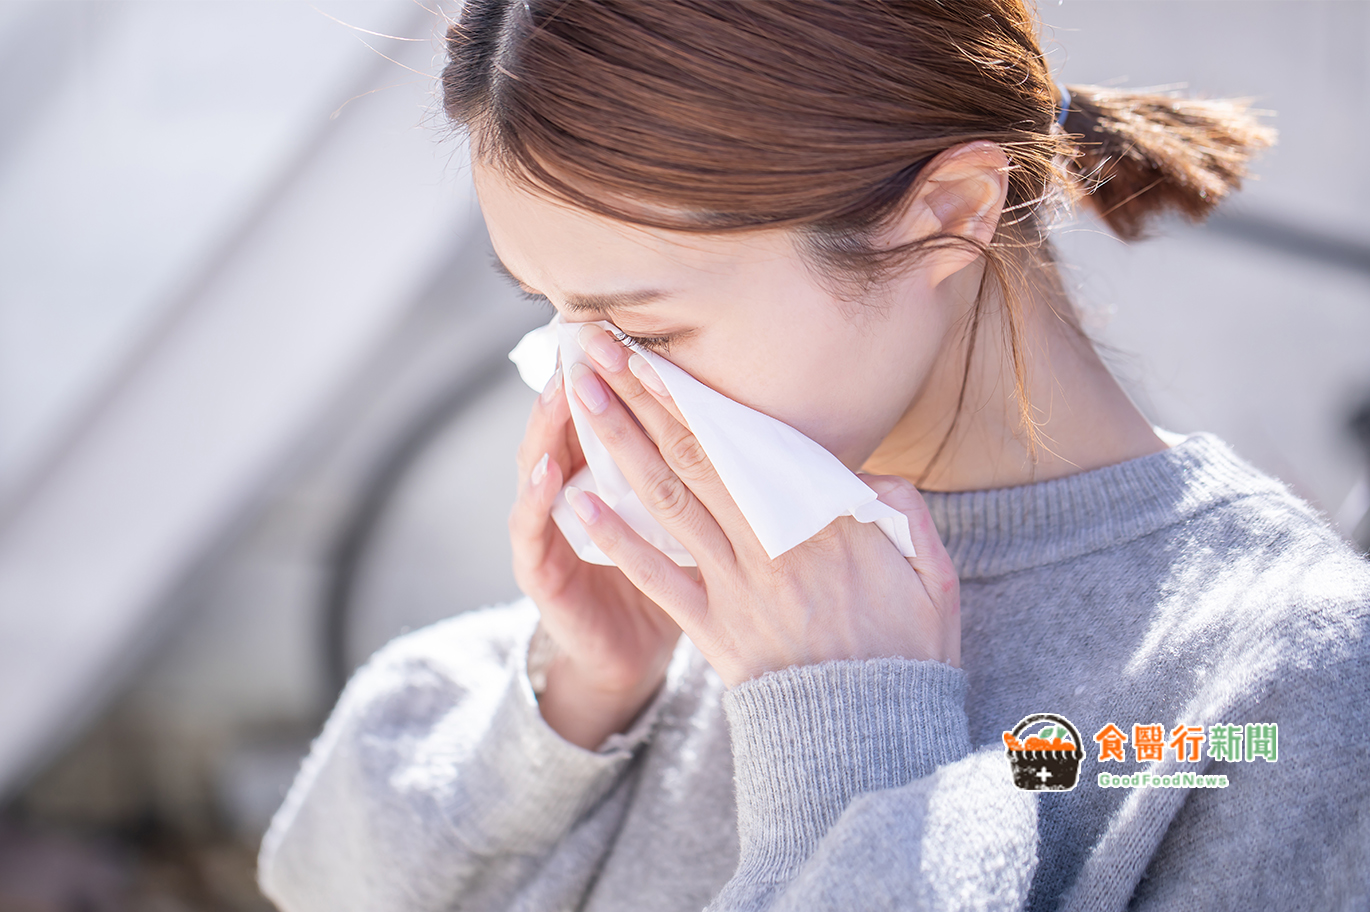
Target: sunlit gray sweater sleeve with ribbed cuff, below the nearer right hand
(857, 788)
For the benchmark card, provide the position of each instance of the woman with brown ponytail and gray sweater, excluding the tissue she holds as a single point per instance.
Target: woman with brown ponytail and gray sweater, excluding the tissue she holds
(836, 214)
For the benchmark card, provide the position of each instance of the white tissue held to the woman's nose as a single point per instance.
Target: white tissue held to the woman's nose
(787, 487)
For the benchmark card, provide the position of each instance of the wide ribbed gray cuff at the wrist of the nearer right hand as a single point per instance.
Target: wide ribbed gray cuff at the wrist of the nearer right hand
(809, 739)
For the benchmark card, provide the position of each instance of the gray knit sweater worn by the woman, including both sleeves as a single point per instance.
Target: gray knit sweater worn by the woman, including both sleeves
(1182, 590)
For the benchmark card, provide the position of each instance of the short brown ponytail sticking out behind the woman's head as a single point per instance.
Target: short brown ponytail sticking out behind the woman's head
(1142, 154)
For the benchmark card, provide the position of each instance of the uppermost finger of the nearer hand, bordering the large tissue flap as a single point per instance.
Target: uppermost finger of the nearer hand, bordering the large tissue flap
(673, 439)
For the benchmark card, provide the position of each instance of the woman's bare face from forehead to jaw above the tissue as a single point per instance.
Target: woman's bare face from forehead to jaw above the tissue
(742, 312)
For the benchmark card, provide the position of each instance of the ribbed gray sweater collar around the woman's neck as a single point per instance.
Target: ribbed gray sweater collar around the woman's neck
(1002, 531)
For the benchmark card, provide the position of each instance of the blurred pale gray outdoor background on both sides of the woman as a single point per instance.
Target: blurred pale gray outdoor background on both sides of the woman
(257, 414)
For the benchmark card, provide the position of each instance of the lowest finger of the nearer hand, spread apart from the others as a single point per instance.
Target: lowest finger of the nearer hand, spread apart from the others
(656, 576)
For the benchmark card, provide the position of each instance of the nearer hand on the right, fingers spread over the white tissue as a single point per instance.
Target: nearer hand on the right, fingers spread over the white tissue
(846, 594)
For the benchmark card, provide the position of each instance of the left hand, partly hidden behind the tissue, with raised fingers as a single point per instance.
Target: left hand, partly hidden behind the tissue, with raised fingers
(614, 643)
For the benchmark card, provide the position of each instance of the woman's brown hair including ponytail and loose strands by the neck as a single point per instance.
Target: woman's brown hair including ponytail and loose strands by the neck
(819, 116)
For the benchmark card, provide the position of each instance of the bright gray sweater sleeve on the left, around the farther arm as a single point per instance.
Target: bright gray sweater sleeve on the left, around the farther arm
(436, 784)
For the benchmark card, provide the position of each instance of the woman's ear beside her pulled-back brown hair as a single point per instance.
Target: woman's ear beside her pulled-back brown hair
(961, 192)
